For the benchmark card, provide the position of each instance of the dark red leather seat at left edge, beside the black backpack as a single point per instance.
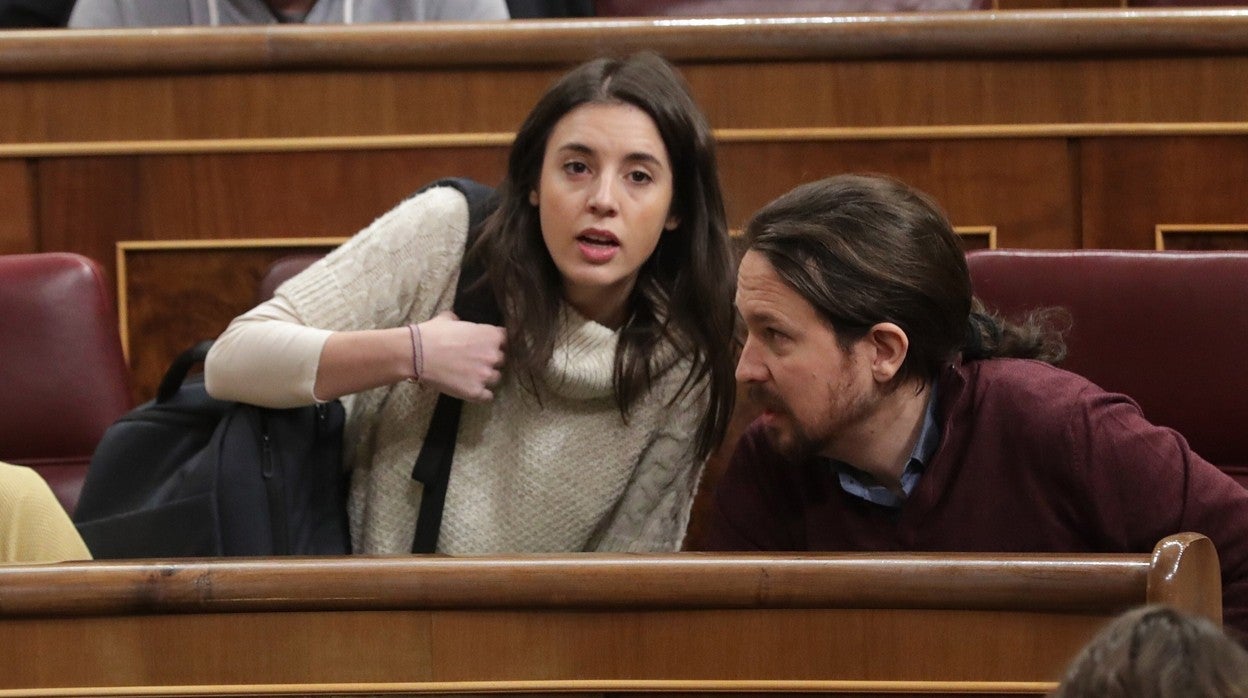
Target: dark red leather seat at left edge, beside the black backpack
(63, 378)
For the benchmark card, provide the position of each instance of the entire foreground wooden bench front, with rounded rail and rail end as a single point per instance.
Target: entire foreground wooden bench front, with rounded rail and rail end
(590, 624)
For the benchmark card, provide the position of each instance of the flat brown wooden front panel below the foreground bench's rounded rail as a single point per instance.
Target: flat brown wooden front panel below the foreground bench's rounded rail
(461, 650)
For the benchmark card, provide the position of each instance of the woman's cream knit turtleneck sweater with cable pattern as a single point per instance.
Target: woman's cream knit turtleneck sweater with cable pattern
(555, 473)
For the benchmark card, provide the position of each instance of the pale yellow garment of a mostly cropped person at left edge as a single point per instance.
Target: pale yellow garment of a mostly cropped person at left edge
(34, 528)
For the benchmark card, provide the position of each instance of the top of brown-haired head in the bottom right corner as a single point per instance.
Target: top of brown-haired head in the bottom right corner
(1159, 652)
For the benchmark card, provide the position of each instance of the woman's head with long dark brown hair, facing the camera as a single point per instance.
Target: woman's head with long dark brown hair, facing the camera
(612, 204)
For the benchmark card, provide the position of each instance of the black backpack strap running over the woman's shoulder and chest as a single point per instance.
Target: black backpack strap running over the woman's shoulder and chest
(475, 303)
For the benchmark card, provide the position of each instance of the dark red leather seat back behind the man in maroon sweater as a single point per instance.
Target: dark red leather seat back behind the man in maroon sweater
(1168, 329)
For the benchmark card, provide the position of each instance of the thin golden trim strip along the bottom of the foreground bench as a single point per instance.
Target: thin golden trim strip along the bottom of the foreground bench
(567, 686)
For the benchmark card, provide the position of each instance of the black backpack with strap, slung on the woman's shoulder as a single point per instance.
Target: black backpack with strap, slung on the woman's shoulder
(185, 475)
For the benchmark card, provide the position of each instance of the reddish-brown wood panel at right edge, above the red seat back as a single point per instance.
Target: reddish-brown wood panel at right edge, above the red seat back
(1133, 185)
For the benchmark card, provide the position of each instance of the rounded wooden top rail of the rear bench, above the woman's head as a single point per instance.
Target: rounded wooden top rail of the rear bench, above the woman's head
(530, 43)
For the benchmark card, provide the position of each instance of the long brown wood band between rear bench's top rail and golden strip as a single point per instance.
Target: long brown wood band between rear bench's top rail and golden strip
(766, 96)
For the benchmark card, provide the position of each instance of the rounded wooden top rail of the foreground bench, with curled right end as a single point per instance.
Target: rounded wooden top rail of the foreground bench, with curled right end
(1033, 582)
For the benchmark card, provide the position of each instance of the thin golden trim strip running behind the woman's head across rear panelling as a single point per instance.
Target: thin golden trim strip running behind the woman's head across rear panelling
(74, 149)
